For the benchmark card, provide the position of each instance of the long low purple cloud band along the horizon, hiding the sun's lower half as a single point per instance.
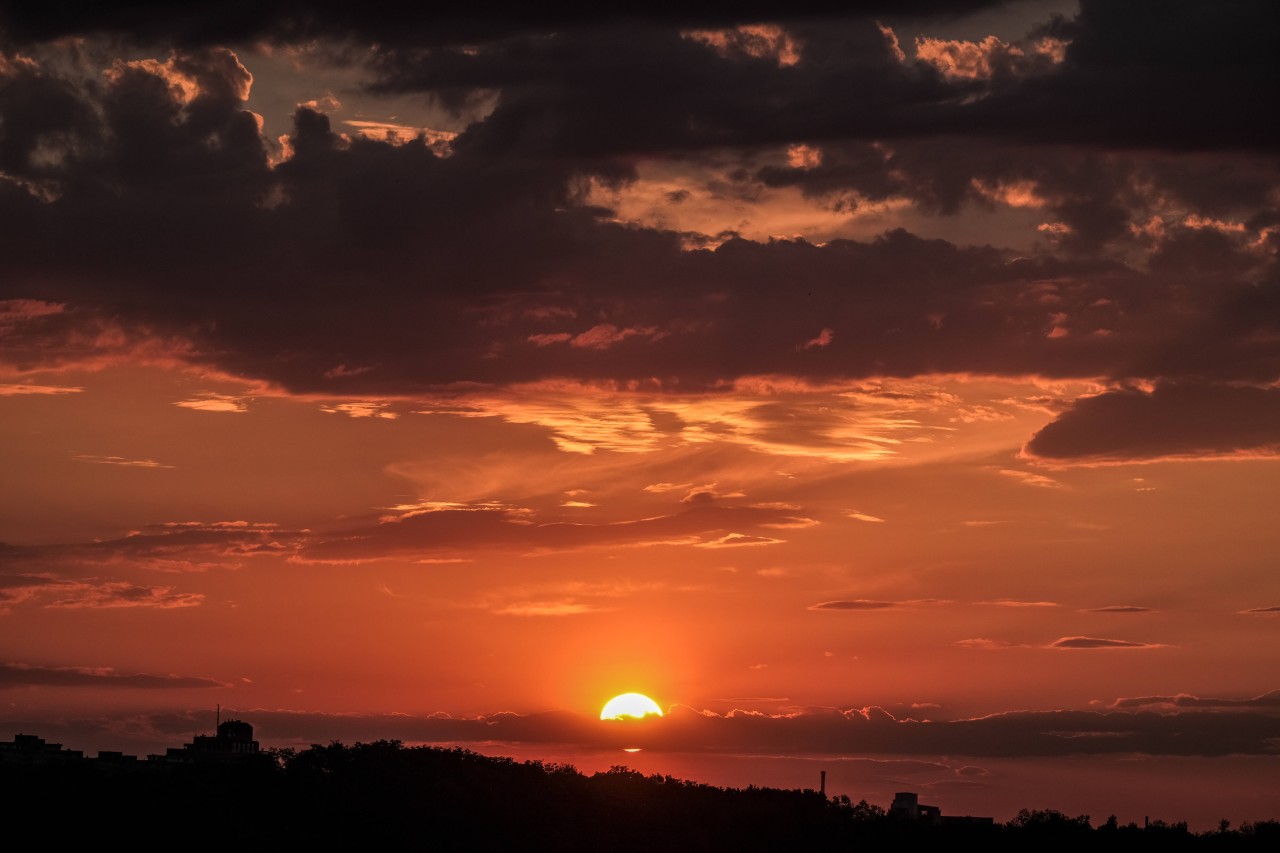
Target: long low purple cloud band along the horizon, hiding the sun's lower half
(830, 733)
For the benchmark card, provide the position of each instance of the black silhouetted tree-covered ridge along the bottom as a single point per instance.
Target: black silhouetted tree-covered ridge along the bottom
(383, 796)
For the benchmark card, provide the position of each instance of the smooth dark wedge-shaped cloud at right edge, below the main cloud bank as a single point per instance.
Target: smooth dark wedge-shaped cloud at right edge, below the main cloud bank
(1174, 419)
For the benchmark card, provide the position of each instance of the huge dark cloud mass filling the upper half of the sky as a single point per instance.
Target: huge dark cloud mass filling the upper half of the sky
(144, 206)
